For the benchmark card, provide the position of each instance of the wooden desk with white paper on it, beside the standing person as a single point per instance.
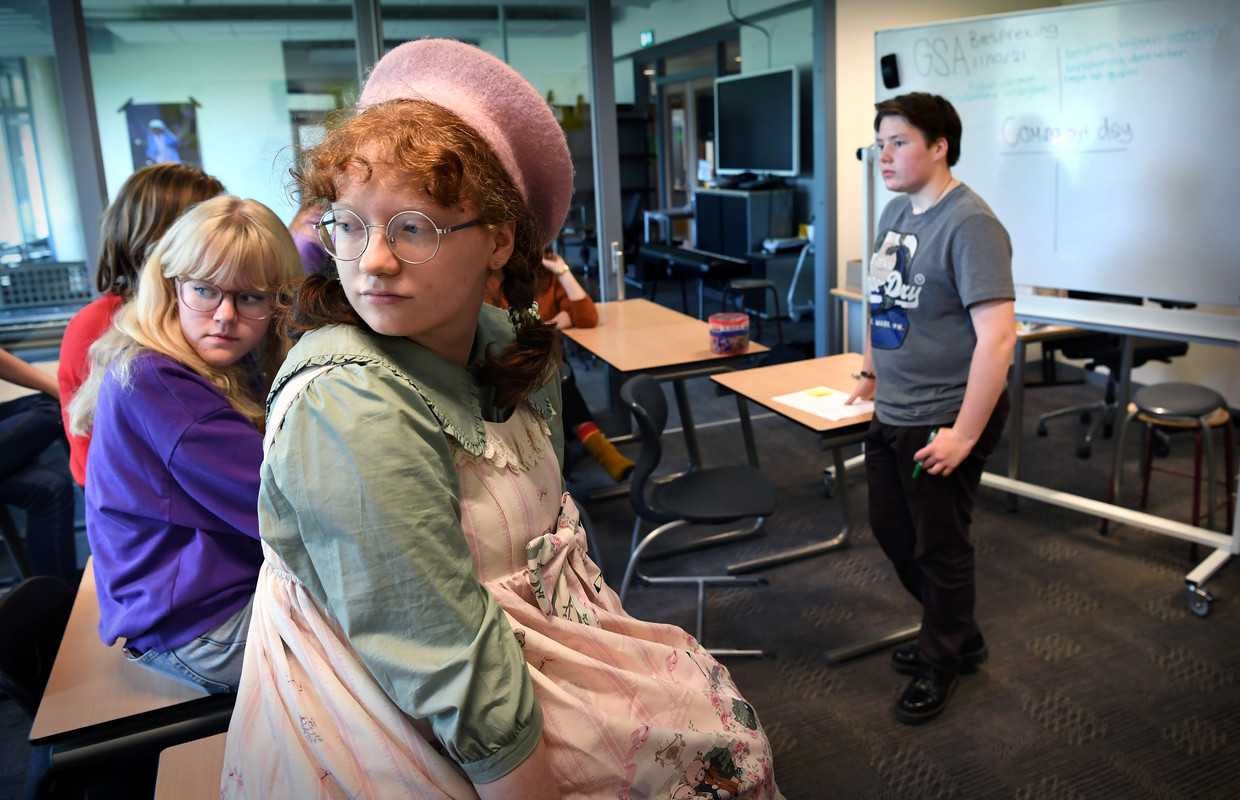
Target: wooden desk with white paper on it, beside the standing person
(762, 385)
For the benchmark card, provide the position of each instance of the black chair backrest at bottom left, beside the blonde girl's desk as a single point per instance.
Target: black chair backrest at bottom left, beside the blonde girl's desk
(33, 620)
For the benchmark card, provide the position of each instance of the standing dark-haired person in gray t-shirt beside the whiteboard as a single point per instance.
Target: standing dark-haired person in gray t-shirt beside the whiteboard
(941, 342)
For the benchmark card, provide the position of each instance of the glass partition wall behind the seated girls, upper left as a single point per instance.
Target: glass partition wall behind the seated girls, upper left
(232, 87)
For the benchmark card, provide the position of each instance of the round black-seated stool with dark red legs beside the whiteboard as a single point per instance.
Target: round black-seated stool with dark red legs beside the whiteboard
(1180, 406)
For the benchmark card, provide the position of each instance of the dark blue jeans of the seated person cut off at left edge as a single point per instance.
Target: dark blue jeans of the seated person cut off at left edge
(28, 427)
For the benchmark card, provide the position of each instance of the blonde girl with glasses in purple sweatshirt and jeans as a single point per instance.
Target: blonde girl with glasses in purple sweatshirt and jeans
(175, 401)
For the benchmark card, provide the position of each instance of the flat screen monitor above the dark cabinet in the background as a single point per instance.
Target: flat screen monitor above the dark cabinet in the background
(757, 123)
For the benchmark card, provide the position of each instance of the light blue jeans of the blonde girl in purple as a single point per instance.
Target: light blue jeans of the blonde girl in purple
(210, 663)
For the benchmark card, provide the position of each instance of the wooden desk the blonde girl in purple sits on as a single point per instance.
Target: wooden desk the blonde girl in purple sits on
(97, 705)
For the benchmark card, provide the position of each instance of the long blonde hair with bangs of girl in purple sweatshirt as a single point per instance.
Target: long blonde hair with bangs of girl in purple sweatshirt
(225, 241)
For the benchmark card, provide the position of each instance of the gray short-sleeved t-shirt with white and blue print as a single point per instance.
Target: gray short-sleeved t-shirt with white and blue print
(926, 272)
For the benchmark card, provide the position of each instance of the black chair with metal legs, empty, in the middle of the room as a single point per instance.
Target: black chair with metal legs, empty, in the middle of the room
(707, 497)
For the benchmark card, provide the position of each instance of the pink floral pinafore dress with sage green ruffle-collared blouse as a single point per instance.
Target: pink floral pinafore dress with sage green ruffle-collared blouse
(428, 610)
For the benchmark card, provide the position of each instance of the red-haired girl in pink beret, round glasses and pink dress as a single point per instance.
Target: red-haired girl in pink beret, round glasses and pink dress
(428, 622)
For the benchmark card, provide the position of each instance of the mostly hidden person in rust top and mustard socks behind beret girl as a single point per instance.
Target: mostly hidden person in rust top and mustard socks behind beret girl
(565, 303)
